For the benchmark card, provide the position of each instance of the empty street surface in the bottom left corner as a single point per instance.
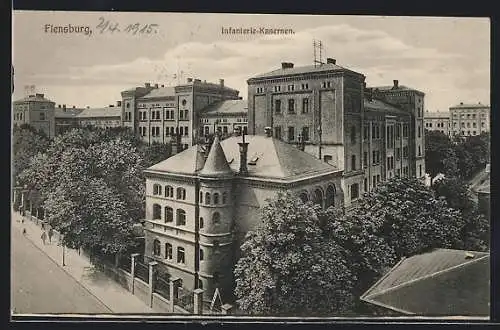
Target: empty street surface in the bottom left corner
(38, 285)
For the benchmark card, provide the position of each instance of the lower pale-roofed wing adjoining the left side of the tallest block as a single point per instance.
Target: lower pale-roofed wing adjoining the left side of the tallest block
(225, 117)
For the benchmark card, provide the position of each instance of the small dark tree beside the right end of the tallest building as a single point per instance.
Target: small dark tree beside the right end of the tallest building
(440, 155)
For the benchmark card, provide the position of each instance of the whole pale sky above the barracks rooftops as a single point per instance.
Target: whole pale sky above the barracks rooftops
(446, 58)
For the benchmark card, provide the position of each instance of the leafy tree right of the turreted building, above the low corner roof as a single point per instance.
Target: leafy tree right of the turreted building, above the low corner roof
(409, 218)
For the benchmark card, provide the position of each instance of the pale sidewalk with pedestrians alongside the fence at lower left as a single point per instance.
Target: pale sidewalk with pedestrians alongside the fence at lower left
(110, 293)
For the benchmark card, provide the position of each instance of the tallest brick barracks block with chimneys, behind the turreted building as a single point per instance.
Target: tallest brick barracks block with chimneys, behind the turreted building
(324, 106)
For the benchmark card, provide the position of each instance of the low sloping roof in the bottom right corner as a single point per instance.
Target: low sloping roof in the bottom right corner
(442, 282)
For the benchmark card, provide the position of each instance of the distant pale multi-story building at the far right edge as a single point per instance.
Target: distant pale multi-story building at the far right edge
(470, 119)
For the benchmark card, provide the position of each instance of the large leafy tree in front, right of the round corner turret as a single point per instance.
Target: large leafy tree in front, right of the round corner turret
(287, 266)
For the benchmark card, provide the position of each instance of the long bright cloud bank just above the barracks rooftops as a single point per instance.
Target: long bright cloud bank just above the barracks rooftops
(377, 54)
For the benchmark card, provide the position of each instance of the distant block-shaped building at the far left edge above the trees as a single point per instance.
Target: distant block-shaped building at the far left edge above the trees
(36, 111)
